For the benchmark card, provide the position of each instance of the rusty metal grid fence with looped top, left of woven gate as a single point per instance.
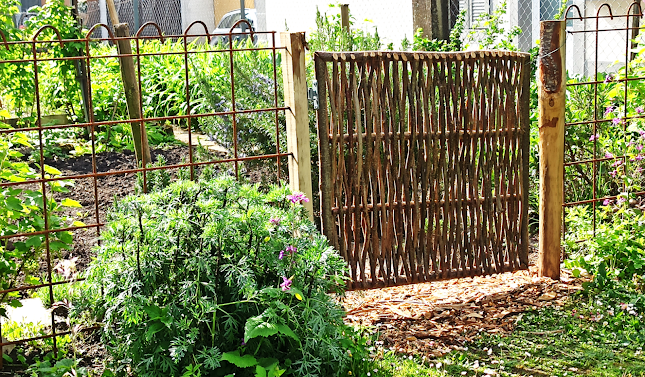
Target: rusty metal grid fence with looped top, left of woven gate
(95, 220)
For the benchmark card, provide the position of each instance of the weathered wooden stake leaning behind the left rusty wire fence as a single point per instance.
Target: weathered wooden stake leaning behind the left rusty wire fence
(132, 95)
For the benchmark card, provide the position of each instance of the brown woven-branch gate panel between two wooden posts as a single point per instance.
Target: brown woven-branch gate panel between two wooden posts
(424, 163)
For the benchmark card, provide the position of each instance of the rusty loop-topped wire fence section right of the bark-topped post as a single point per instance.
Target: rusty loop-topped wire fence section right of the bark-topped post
(604, 121)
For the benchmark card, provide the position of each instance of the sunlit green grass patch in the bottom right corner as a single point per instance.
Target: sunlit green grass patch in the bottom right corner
(599, 333)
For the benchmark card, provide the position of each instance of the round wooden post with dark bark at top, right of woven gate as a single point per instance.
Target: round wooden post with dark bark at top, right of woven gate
(551, 103)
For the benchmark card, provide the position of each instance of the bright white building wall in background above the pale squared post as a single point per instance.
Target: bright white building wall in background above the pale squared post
(393, 18)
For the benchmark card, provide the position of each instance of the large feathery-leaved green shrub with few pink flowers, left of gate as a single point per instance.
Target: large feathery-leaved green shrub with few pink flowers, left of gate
(216, 278)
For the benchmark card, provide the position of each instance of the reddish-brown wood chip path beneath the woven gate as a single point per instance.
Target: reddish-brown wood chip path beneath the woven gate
(434, 318)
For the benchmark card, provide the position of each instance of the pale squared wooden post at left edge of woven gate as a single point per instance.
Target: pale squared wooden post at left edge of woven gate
(294, 76)
